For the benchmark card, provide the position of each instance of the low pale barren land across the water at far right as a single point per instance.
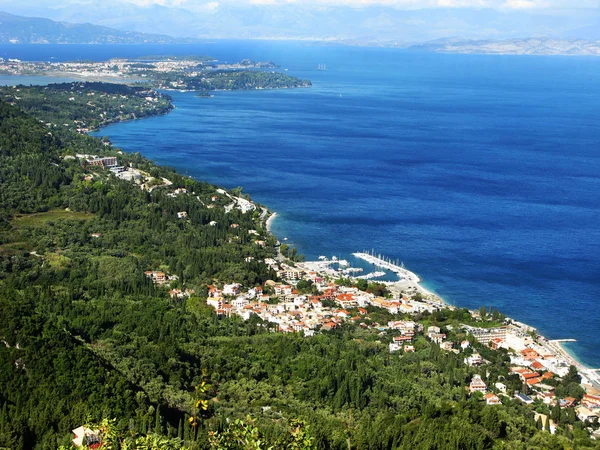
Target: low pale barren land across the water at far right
(531, 46)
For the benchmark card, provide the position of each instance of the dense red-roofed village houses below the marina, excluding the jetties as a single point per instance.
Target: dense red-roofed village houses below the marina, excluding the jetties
(531, 358)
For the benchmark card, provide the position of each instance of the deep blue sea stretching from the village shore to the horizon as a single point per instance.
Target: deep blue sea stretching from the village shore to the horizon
(480, 173)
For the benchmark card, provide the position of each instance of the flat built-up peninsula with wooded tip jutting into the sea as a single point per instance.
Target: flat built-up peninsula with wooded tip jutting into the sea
(187, 73)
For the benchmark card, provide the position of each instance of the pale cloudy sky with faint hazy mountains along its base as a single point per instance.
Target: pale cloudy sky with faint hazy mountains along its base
(384, 20)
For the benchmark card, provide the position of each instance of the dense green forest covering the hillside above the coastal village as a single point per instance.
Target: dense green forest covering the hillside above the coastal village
(86, 338)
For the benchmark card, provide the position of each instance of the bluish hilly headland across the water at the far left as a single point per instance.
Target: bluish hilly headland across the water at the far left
(33, 30)
